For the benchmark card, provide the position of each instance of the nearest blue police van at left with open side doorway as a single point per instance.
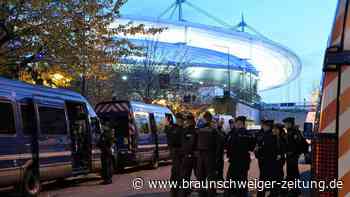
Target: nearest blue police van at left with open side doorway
(45, 134)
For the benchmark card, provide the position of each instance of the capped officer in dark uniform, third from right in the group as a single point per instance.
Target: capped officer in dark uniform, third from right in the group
(266, 153)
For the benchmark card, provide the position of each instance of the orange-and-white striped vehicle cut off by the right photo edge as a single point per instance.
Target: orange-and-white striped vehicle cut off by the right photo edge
(331, 145)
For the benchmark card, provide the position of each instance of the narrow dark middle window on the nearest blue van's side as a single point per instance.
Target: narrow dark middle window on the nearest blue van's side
(28, 118)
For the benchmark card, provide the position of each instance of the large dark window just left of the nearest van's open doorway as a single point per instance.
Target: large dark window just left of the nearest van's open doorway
(52, 121)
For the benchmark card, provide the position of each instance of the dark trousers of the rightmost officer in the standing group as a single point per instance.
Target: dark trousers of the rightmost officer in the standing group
(293, 172)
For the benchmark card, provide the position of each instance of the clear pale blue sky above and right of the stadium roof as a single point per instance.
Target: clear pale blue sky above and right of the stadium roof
(301, 25)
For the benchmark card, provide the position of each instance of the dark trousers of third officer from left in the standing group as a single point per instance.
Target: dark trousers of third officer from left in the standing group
(206, 171)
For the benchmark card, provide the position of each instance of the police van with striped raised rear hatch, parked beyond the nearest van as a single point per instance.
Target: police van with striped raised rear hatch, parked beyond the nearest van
(139, 131)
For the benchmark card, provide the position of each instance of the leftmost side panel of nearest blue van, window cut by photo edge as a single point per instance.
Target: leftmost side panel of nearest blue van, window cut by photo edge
(9, 150)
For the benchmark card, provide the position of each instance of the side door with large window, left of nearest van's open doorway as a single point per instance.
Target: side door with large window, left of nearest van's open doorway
(55, 155)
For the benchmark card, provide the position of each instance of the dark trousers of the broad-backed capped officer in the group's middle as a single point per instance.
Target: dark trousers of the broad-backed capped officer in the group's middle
(237, 172)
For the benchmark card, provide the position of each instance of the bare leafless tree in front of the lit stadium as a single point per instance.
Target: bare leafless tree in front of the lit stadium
(158, 71)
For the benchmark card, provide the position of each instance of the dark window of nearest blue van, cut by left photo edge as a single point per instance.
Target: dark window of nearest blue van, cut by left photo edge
(7, 125)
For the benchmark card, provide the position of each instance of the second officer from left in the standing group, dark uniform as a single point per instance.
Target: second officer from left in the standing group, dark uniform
(189, 139)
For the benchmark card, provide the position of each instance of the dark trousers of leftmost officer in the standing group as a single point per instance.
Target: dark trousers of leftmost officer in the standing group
(175, 173)
